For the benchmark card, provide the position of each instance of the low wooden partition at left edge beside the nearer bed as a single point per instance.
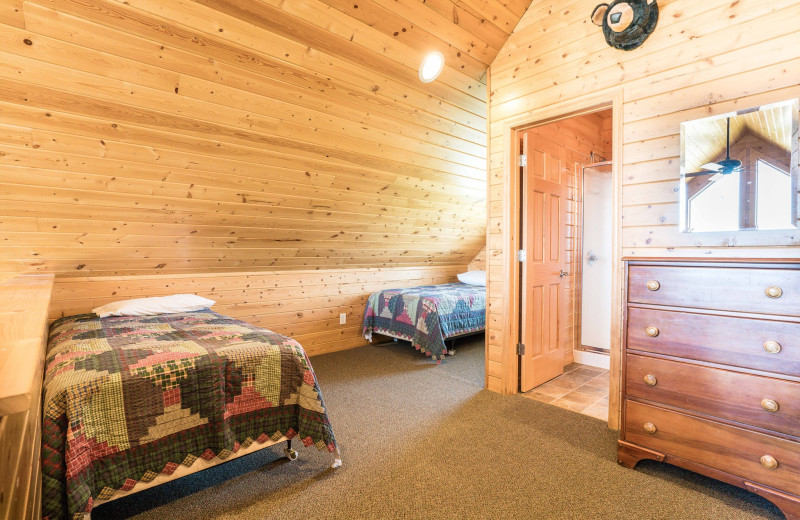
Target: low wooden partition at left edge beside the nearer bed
(24, 308)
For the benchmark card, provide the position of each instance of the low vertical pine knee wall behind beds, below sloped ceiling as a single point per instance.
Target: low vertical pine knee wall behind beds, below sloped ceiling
(302, 304)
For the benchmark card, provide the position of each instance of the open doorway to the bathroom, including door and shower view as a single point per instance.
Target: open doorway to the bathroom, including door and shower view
(566, 224)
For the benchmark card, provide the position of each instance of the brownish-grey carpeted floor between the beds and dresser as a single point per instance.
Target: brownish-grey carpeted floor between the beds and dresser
(426, 441)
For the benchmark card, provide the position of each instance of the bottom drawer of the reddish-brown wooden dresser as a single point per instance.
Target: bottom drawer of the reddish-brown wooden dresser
(734, 450)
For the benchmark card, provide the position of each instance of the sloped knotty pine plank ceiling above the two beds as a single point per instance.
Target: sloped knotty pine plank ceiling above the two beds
(218, 135)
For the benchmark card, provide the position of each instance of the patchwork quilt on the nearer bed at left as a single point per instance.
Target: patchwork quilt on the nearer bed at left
(127, 398)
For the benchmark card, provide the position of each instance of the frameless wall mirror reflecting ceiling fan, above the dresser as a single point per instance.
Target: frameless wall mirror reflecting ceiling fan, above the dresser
(739, 171)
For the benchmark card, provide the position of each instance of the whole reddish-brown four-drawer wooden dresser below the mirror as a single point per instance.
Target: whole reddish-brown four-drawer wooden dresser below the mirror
(711, 372)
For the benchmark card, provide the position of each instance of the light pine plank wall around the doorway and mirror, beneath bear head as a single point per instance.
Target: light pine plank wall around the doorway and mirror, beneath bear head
(704, 58)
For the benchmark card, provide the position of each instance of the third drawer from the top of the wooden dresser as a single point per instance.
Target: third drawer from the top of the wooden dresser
(721, 393)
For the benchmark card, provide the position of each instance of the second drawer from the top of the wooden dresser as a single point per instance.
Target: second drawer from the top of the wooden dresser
(768, 345)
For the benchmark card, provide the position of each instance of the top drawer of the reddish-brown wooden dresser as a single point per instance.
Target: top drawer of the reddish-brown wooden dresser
(722, 288)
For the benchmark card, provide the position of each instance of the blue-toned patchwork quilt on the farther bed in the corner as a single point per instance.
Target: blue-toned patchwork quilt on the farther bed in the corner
(427, 315)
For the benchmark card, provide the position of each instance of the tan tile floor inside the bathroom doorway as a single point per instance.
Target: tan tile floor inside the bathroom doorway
(581, 388)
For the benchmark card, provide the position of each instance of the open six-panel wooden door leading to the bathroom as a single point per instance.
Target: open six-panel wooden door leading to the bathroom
(543, 228)
